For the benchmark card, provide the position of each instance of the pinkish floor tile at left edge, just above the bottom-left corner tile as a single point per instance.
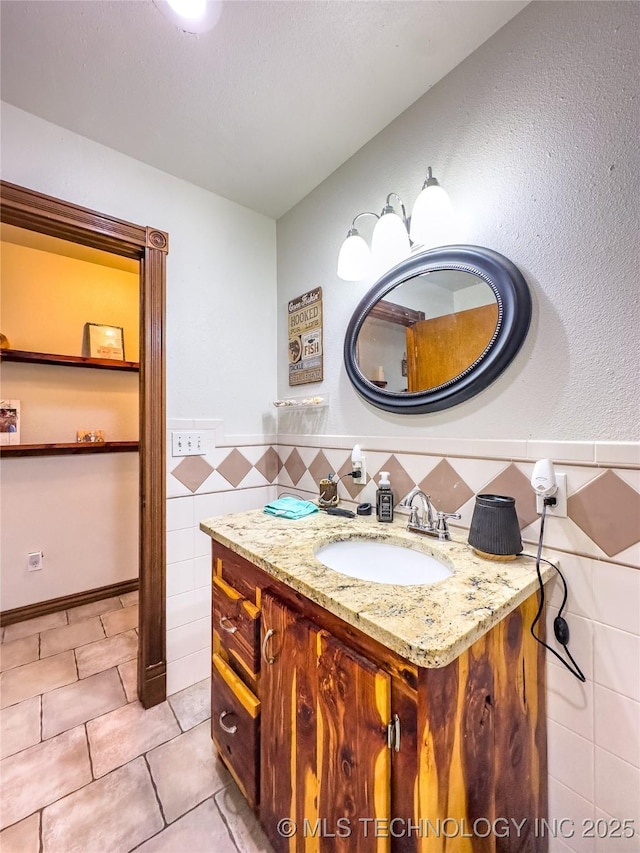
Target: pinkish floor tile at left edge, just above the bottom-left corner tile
(43, 774)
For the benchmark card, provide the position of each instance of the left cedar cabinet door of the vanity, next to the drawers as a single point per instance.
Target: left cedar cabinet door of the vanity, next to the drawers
(288, 781)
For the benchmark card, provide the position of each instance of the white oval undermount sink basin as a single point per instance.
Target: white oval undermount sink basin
(382, 562)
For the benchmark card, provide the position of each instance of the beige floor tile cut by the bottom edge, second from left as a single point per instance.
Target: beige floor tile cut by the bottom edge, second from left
(117, 812)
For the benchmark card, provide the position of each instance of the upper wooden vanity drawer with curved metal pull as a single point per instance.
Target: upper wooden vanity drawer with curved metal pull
(237, 623)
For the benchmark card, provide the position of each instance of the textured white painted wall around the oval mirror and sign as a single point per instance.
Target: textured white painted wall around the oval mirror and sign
(535, 138)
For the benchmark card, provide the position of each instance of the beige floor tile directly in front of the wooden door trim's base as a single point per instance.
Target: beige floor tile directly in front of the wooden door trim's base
(127, 732)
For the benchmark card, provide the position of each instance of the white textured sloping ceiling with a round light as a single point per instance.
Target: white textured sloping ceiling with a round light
(259, 110)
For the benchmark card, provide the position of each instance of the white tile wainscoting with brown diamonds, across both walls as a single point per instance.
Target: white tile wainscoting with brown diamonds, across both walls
(594, 728)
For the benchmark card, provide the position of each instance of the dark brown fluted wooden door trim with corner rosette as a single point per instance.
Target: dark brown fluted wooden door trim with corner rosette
(34, 211)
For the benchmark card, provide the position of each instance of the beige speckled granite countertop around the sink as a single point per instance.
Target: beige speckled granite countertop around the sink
(429, 625)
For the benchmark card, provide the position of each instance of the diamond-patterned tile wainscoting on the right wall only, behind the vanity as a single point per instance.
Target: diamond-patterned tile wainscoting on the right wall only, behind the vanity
(594, 727)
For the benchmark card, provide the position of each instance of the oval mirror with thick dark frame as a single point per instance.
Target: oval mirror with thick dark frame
(437, 329)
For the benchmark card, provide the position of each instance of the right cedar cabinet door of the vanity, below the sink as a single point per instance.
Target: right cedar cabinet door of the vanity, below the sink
(354, 761)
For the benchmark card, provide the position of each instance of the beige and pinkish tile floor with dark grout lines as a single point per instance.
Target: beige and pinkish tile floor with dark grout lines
(85, 769)
